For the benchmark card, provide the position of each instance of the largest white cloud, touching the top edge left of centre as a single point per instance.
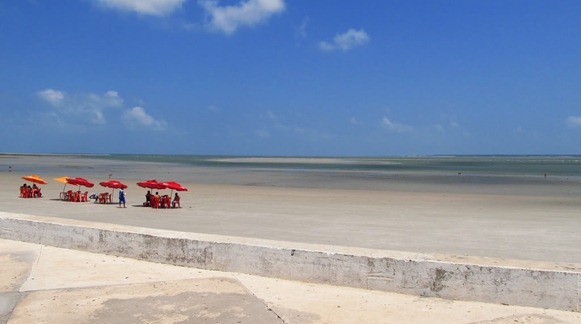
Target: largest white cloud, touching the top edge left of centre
(228, 19)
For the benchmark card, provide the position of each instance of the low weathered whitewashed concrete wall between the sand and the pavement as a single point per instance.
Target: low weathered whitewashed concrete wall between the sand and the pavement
(405, 273)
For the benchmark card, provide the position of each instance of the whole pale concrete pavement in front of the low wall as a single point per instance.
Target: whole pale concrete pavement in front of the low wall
(70, 286)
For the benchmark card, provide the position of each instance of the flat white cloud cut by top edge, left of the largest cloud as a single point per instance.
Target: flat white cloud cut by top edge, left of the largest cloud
(145, 7)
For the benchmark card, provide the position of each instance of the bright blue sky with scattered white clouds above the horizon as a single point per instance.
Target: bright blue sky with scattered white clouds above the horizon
(280, 77)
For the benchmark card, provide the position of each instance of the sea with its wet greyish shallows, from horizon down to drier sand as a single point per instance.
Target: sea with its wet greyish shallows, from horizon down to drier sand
(527, 175)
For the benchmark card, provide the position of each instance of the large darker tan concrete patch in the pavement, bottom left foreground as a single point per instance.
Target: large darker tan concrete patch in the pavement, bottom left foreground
(219, 300)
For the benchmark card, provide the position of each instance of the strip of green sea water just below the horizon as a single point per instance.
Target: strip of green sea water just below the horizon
(567, 166)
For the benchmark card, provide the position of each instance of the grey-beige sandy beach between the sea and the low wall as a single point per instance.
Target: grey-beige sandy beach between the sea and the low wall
(519, 221)
